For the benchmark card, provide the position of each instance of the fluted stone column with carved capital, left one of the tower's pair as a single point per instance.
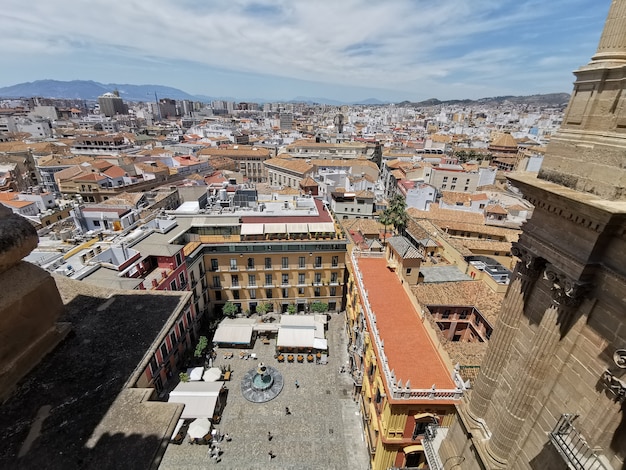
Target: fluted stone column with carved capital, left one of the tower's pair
(527, 271)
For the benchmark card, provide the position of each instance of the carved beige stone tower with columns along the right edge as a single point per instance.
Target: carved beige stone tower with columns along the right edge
(551, 392)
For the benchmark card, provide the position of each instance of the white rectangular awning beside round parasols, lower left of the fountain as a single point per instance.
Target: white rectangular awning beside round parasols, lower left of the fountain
(199, 398)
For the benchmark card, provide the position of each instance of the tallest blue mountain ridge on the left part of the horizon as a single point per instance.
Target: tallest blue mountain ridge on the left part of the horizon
(90, 90)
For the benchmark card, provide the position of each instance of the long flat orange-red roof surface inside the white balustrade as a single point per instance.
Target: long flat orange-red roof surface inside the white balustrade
(410, 351)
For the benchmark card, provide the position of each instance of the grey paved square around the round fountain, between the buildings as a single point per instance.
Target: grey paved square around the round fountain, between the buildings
(323, 431)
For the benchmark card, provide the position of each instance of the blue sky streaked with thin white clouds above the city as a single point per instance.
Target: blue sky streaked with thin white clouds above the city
(347, 50)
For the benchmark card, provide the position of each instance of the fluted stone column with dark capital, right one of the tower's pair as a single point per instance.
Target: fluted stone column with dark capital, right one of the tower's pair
(566, 296)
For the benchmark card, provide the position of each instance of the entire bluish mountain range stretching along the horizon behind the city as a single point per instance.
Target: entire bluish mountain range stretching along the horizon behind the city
(90, 90)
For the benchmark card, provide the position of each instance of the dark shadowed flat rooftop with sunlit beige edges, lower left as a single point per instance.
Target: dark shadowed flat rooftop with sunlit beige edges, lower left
(75, 409)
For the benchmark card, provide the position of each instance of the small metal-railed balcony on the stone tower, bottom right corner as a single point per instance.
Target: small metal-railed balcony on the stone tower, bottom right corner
(574, 448)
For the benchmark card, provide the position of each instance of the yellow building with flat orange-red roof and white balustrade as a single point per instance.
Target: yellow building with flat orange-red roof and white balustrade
(406, 390)
